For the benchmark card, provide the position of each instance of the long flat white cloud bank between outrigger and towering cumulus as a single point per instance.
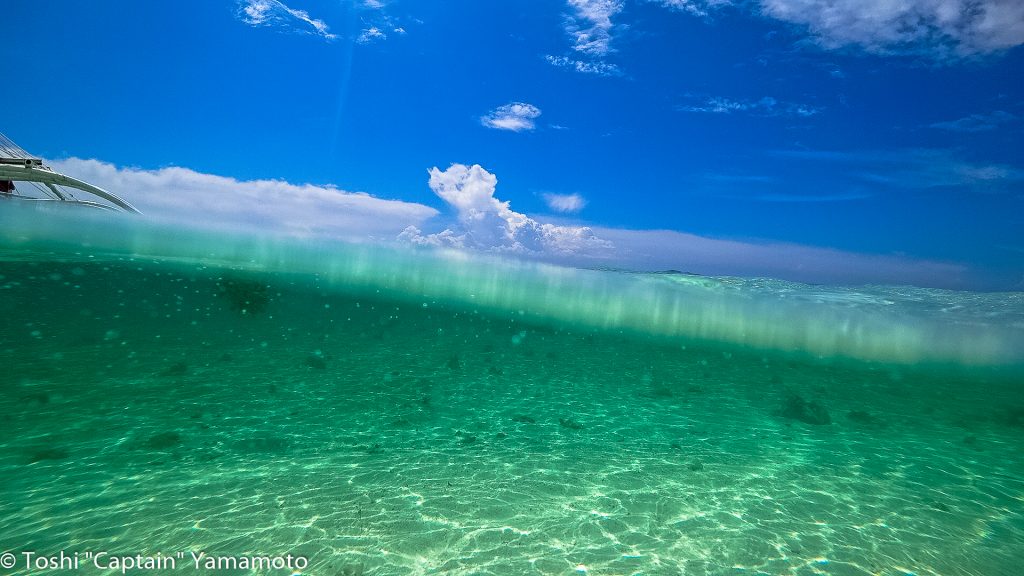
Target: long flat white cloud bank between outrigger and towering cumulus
(269, 207)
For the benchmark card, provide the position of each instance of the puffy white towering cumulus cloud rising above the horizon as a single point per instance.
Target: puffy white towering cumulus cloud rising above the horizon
(485, 223)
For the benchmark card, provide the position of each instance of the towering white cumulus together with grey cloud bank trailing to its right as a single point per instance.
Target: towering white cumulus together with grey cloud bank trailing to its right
(487, 224)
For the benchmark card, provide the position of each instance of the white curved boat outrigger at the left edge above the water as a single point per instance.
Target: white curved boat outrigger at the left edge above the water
(46, 185)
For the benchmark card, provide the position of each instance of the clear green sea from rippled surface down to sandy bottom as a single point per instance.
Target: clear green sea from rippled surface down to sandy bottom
(217, 402)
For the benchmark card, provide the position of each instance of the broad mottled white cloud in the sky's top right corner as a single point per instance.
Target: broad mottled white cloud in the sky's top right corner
(936, 27)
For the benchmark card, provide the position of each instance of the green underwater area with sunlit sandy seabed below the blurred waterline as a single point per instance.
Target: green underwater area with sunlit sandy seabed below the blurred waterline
(155, 408)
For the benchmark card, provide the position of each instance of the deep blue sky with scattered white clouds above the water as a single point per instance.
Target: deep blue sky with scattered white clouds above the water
(879, 136)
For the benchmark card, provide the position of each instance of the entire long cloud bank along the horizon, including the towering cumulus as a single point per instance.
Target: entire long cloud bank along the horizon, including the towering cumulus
(484, 224)
